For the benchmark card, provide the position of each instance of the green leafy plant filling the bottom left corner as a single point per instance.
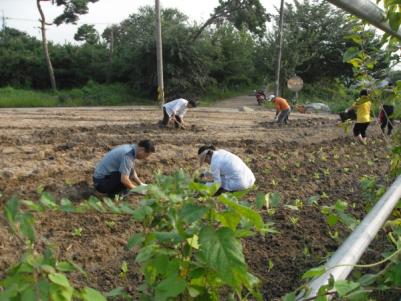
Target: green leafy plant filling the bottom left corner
(38, 275)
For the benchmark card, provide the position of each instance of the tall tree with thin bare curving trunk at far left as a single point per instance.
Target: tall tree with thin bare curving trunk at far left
(72, 10)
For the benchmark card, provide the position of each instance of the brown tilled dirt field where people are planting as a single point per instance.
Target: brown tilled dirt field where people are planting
(58, 148)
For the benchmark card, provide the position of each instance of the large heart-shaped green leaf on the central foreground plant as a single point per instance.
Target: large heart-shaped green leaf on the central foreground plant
(222, 253)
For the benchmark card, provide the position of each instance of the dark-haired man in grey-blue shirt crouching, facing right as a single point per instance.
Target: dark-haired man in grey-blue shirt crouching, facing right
(114, 172)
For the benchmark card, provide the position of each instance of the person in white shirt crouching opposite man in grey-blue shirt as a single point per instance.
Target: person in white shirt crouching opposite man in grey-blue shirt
(226, 169)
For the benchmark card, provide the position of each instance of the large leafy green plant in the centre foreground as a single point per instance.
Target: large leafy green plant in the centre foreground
(190, 248)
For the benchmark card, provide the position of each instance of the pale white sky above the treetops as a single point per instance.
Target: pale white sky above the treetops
(21, 14)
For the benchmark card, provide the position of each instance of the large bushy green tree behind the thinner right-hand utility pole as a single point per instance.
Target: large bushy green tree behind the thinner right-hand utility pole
(313, 41)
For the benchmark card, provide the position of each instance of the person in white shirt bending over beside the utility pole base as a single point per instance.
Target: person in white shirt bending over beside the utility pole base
(175, 110)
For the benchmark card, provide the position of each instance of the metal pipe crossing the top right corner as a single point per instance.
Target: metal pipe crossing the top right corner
(368, 11)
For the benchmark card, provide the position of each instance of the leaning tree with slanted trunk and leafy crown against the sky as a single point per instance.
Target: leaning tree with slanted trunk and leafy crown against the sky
(249, 14)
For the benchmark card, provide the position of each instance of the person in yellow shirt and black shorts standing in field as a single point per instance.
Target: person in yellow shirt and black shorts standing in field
(362, 107)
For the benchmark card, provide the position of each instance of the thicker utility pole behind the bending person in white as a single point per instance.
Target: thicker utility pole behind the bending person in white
(159, 54)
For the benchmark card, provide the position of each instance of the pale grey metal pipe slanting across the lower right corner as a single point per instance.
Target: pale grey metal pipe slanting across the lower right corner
(355, 245)
